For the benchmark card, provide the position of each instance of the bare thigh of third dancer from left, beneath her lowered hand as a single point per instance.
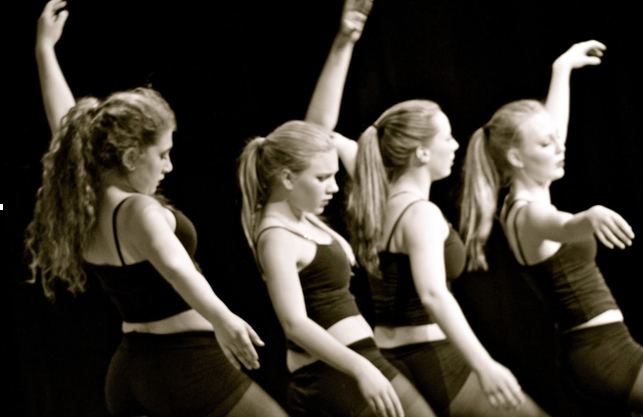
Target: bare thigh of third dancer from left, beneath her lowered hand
(471, 401)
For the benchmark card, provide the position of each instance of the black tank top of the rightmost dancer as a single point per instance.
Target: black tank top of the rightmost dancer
(575, 286)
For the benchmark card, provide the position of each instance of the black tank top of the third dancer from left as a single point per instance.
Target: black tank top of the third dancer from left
(395, 299)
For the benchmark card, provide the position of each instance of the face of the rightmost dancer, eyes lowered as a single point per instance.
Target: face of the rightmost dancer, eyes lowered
(541, 152)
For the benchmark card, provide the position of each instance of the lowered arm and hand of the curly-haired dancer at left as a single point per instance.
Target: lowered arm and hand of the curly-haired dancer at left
(149, 234)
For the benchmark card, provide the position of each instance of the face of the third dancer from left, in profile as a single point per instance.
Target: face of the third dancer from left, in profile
(442, 148)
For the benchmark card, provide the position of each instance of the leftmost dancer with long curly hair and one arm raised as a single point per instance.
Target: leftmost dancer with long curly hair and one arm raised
(182, 348)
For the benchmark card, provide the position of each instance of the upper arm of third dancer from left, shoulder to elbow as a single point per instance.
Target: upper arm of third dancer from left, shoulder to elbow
(425, 231)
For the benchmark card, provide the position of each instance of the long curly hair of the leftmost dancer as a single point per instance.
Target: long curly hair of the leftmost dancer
(93, 137)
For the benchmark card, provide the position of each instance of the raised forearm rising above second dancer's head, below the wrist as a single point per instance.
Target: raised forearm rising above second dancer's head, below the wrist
(326, 100)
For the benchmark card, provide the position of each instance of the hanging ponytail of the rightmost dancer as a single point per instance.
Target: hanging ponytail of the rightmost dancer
(479, 200)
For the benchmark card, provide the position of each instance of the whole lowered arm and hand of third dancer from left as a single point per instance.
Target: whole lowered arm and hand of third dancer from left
(426, 252)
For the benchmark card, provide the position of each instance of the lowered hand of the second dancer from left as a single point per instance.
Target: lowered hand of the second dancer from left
(378, 392)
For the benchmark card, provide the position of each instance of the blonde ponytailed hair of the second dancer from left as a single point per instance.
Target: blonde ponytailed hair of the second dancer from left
(292, 145)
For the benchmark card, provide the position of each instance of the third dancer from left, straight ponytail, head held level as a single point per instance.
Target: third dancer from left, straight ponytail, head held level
(412, 254)
